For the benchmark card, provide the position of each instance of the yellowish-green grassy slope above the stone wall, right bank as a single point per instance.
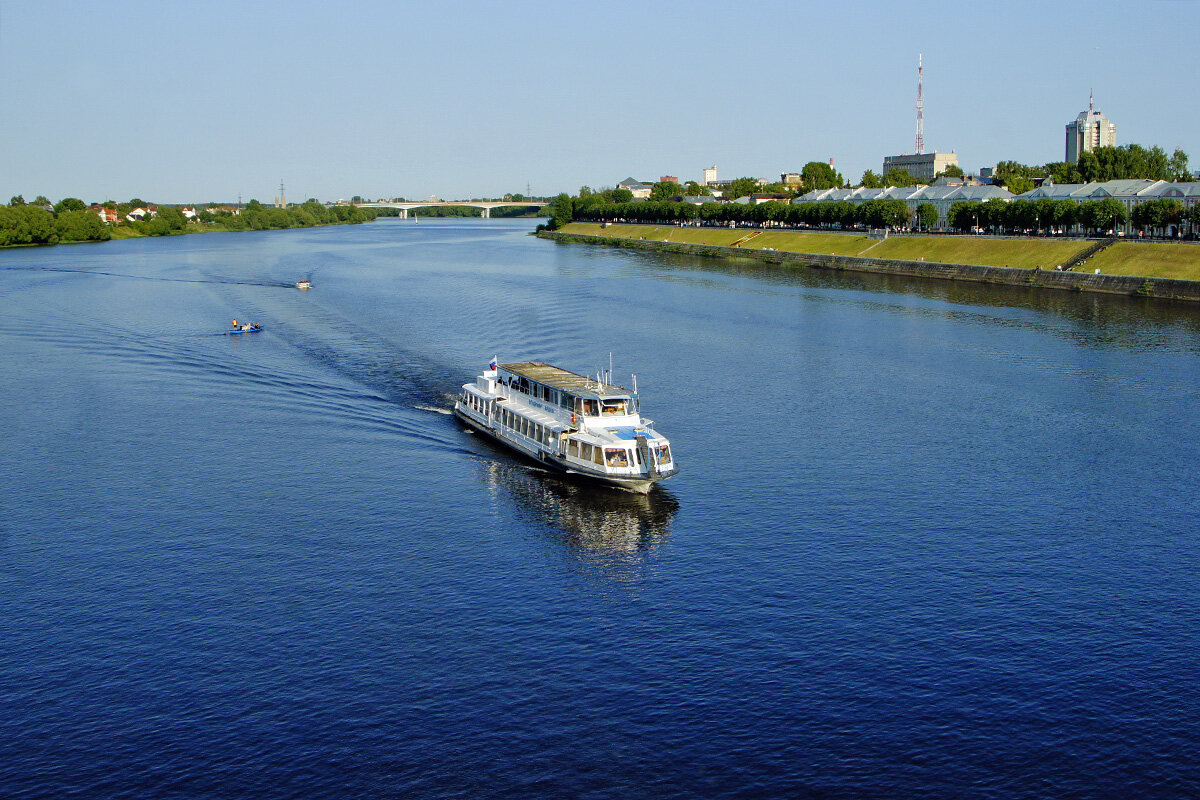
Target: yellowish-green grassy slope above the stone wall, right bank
(1157, 260)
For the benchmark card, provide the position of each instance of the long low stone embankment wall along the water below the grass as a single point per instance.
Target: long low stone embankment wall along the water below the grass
(1123, 285)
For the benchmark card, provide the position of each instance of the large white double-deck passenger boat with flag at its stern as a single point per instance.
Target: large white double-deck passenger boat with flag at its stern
(583, 426)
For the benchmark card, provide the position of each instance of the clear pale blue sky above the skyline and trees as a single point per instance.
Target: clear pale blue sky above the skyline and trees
(182, 103)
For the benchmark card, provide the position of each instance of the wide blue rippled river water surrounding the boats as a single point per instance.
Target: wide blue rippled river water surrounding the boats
(928, 539)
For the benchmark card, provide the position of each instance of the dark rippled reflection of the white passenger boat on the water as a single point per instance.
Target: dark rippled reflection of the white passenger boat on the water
(605, 528)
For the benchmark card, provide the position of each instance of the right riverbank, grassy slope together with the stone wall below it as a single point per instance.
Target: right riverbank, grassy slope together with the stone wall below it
(1163, 270)
